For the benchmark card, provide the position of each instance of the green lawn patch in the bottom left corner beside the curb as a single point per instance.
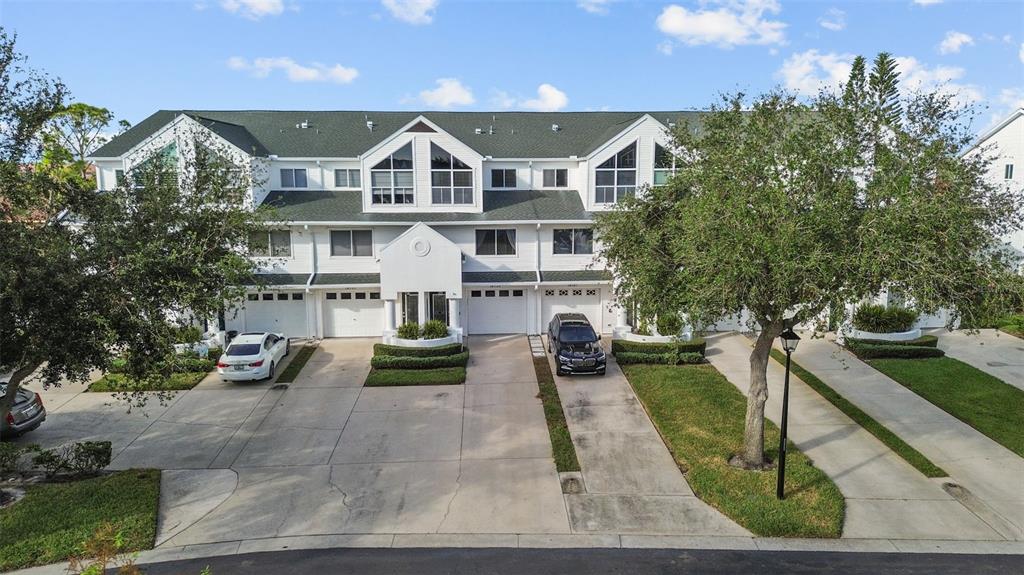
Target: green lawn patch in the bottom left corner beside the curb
(53, 520)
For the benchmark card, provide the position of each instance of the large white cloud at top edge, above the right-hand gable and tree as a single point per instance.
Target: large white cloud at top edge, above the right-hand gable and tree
(735, 23)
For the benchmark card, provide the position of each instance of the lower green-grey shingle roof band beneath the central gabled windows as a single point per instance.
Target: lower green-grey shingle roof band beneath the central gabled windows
(347, 206)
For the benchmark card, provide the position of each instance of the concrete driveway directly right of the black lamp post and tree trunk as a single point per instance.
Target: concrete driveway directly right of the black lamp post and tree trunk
(885, 496)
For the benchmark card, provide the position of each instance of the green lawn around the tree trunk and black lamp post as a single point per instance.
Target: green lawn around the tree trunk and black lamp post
(701, 416)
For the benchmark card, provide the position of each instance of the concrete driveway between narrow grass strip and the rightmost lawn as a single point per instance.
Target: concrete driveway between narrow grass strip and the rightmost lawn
(993, 474)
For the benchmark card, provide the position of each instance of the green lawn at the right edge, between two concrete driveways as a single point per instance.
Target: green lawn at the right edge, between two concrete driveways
(987, 404)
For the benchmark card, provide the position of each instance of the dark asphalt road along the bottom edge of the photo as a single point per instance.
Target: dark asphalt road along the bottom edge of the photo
(586, 562)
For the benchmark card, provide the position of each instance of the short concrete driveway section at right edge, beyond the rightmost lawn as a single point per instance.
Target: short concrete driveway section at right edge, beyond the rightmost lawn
(998, 355)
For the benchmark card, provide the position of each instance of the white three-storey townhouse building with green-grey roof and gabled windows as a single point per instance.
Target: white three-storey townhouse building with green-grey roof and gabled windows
(478, 219)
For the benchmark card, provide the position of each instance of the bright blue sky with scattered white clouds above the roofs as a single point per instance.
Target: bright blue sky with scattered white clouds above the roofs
(136, 58)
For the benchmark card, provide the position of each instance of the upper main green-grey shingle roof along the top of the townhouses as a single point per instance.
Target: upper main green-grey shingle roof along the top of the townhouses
(345, 135)
